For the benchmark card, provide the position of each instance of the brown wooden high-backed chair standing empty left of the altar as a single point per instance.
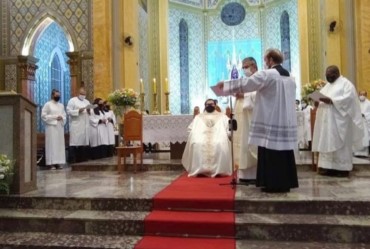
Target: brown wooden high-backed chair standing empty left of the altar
(132, 131)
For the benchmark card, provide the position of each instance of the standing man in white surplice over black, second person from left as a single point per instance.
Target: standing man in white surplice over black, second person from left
(78, 111)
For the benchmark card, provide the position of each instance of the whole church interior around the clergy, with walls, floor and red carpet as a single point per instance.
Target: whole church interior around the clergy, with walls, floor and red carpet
(170, 52)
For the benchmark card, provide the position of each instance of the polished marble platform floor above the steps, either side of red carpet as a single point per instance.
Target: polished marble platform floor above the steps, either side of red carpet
(145, 184)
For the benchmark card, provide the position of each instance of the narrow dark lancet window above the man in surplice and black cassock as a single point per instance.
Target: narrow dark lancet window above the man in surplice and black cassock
(285, 40)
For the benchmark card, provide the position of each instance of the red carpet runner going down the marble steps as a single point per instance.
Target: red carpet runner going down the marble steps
(192, 213)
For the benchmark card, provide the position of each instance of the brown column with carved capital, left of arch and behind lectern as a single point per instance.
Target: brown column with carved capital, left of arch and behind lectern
(26, 68)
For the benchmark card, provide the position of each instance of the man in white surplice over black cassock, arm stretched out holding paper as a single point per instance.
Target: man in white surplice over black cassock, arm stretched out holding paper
(274, 122)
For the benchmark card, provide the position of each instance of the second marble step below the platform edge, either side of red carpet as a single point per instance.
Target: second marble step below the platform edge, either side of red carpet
(353, 228)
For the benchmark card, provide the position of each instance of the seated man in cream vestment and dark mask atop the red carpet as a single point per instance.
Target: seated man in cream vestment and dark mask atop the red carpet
(208, 150)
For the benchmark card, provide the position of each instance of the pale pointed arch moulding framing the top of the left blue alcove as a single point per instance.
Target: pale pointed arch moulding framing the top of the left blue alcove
(38, 25)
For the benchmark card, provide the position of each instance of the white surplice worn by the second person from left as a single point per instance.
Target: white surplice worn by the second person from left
(78, 122)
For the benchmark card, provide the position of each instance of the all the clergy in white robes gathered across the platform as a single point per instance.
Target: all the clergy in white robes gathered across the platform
(260, 151)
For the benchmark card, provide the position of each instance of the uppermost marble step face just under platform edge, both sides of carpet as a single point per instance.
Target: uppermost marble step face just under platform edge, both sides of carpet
(281, 205)
